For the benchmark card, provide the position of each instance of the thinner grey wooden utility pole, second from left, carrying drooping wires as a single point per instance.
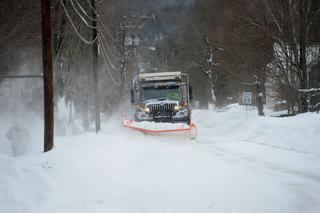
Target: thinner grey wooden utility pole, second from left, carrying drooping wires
(94, 67)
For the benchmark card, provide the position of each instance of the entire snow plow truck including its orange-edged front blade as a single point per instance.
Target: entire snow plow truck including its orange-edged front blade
(162, 104)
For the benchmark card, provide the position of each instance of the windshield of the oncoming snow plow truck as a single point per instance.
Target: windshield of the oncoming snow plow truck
(161, 92)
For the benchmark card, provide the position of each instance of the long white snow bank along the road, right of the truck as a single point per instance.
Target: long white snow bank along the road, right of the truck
(301, 132)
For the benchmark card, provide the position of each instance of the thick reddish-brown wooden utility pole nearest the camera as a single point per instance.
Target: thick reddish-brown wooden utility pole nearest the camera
(47, 74)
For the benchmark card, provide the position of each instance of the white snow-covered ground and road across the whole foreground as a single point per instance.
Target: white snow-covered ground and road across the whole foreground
(235, 165)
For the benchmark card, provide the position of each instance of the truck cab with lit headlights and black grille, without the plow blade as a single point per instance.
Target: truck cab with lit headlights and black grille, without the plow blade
(162, 97)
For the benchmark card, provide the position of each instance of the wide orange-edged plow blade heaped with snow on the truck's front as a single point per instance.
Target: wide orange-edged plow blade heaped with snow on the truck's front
(176, 130)
